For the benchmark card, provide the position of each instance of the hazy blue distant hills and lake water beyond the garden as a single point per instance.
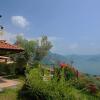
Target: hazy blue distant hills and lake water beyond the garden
(84, 63)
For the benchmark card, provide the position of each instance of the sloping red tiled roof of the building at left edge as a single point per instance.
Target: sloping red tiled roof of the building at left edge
(4, 45)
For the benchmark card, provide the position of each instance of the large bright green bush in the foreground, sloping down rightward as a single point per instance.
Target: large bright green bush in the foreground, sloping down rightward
(36, 88)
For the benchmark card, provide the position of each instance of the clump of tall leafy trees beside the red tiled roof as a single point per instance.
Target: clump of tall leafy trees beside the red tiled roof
(34, 51)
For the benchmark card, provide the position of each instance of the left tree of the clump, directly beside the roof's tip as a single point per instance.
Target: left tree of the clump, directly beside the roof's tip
(29, 50)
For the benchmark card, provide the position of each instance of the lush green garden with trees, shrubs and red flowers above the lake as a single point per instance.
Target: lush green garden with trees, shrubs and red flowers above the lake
(38, 81)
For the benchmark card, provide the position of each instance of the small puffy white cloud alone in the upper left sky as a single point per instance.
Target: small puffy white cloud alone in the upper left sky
(19, 21)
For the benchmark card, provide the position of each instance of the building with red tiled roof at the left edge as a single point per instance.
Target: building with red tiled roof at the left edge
(6, 49)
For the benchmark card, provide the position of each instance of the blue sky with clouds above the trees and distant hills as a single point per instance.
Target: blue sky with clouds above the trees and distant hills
(73, 26)
